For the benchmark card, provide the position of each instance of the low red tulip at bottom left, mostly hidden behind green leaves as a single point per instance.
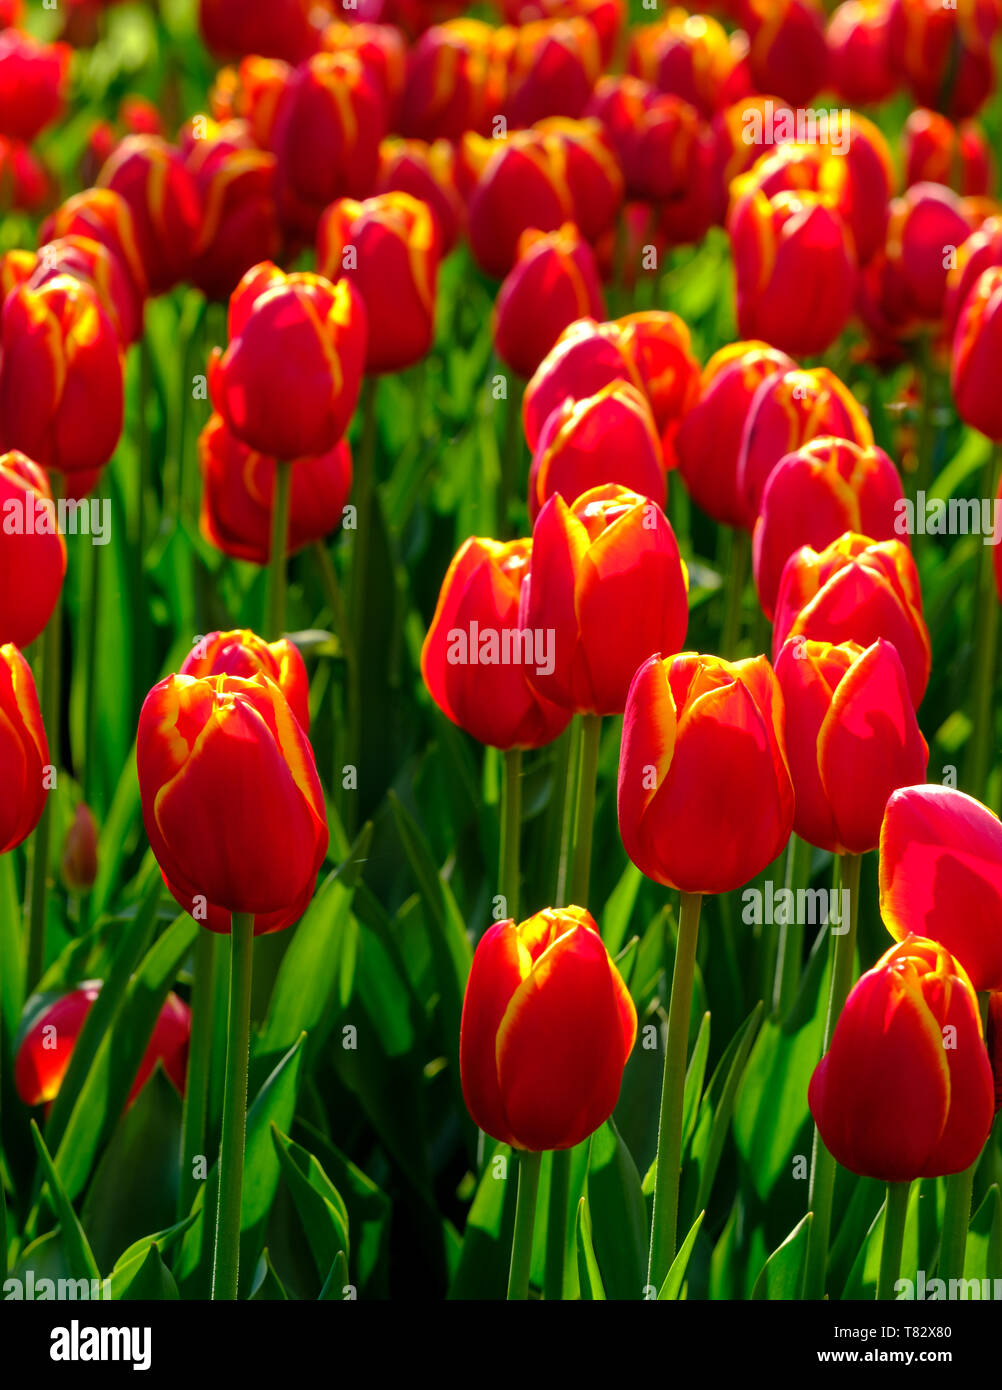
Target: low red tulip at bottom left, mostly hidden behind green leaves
(48, 1047)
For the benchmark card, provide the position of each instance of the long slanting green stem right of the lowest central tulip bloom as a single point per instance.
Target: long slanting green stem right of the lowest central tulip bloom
(668, 1171)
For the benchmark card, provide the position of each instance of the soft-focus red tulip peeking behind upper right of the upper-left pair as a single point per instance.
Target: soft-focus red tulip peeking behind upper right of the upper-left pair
(388, 250)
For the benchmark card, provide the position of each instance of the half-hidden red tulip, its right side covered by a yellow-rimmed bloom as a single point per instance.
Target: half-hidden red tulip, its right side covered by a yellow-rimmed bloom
(708, 444)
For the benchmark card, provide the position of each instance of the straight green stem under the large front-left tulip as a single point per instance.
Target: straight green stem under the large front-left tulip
(227, 1259)
